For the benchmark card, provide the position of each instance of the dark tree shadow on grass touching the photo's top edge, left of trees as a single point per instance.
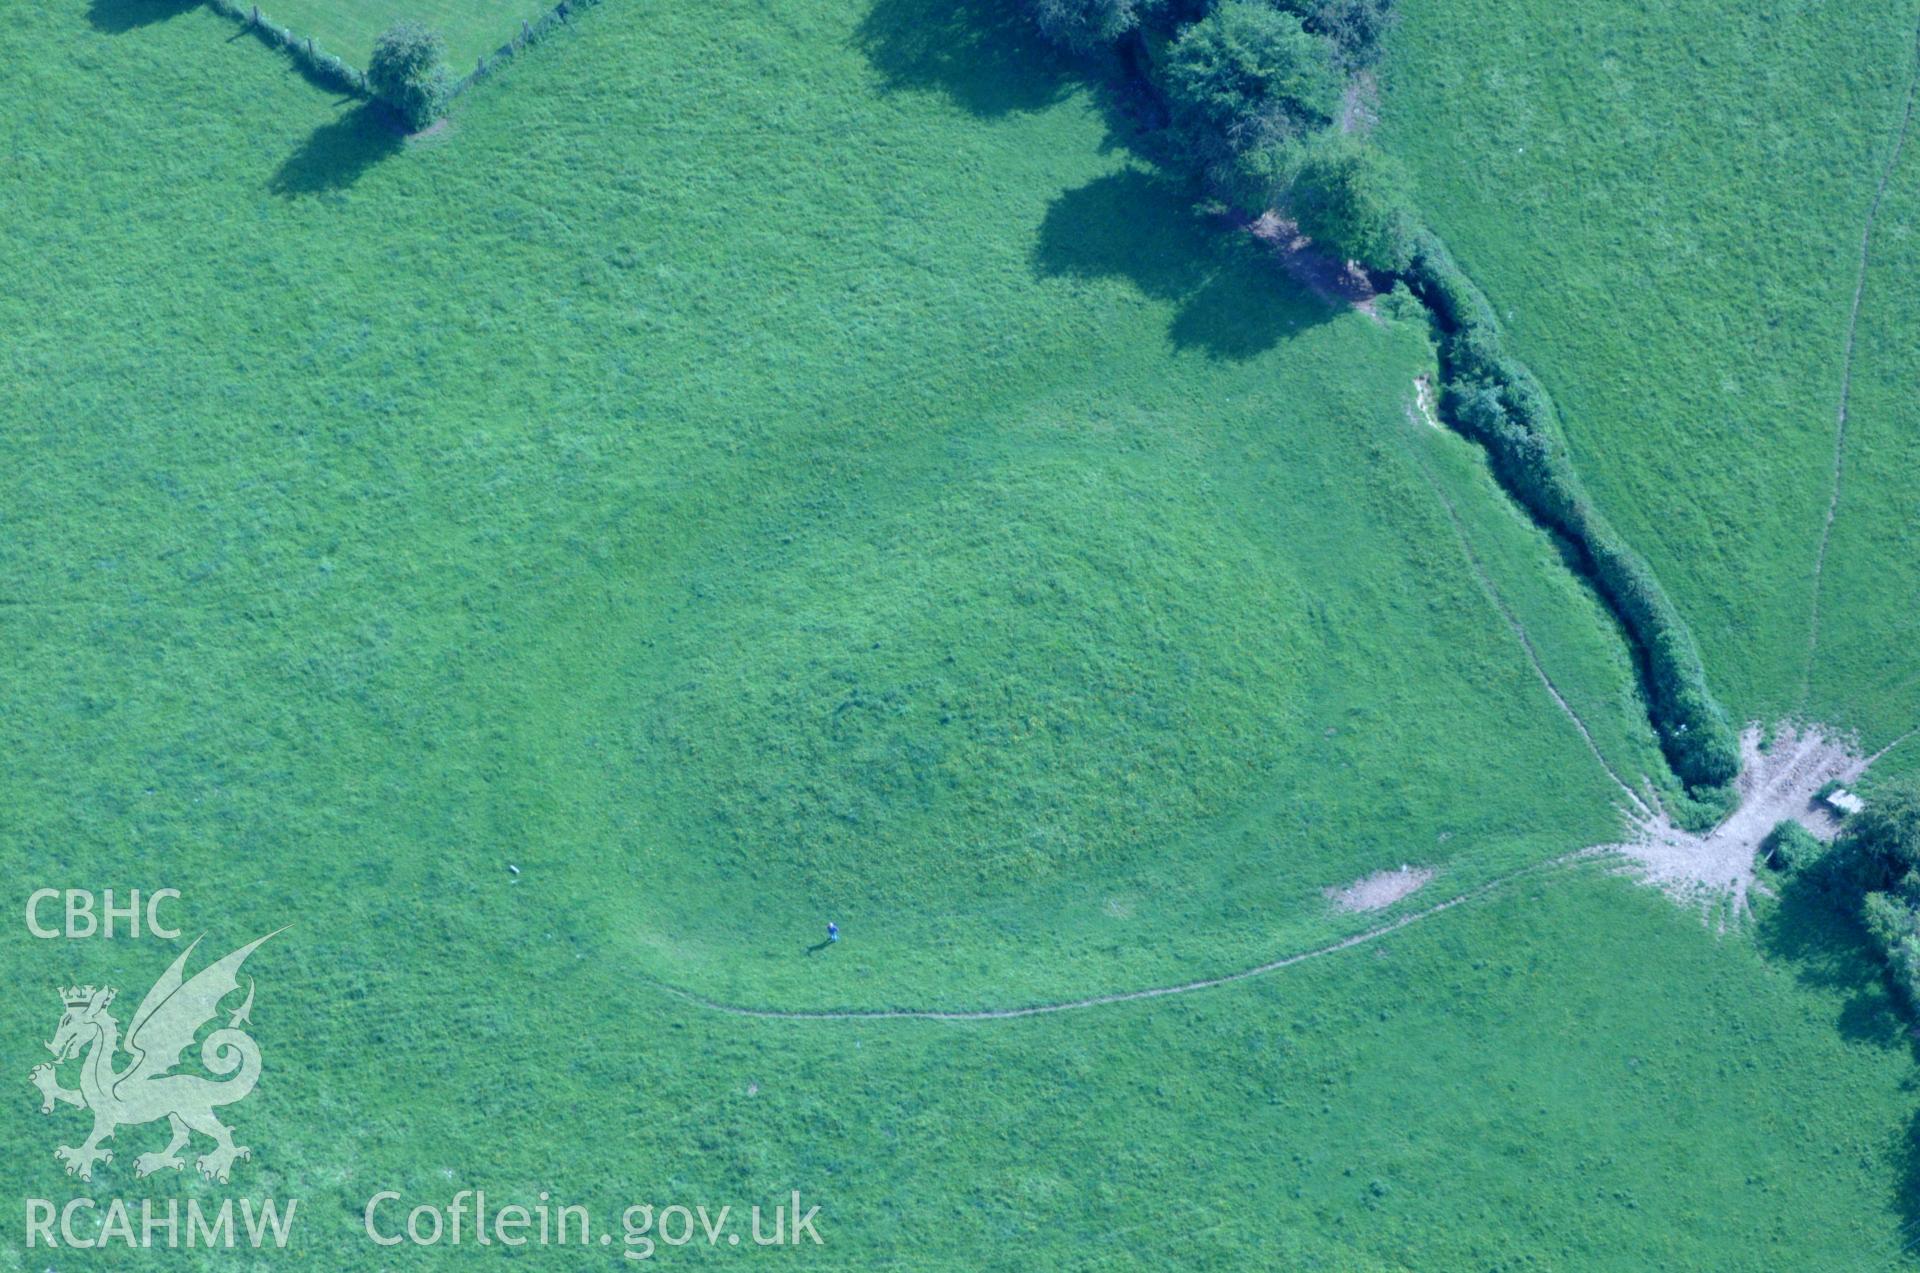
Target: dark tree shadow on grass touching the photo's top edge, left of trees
(984, 55)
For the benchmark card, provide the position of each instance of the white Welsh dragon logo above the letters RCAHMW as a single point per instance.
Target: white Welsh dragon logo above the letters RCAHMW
(145, 1092)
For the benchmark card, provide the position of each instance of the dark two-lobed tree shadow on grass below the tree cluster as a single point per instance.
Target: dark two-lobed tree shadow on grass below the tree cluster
(1236, 299)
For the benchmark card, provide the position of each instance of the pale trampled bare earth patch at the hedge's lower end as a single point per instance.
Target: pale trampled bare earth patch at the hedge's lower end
(1773, 786)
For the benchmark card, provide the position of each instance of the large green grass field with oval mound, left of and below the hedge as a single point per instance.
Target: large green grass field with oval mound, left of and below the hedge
(769, 464)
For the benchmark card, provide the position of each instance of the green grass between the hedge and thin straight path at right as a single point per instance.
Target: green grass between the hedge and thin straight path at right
(1666, 206)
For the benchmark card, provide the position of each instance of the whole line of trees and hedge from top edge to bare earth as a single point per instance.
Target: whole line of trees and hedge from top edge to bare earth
(1251, 91)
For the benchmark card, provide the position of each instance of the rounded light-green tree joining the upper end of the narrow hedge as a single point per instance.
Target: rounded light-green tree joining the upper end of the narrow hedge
(1353, 199)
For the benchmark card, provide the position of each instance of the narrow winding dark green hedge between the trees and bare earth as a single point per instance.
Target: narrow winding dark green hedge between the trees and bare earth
(1497, 400)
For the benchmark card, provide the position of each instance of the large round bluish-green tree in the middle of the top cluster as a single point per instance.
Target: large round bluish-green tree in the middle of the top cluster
(1249, 80)
